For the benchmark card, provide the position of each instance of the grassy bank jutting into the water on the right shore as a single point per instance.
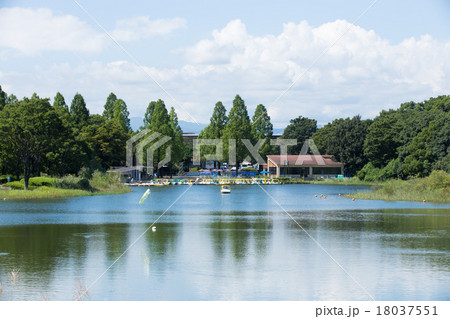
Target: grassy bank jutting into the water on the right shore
(434, 188)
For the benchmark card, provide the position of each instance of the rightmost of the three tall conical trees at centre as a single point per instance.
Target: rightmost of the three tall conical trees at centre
(262, 129)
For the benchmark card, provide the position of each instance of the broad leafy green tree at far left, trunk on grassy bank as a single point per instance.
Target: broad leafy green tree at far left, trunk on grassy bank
(27, 131)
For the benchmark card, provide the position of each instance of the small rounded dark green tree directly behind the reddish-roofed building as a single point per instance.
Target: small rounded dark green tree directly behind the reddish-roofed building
(300, 128)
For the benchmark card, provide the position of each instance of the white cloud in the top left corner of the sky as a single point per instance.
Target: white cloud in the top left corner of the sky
(35, 30)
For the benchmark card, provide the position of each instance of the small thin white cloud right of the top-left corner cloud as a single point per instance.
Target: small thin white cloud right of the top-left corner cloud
(142, 27)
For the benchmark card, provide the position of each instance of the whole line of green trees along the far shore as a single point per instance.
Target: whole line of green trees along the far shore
(57, 139)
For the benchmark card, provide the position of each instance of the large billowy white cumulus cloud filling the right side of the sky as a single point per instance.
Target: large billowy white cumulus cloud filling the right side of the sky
(361, 73)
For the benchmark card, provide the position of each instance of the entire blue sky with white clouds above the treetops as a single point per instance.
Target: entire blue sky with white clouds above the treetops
(322, 59)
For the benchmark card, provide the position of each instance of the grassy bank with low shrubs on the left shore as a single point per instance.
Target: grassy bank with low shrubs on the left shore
(69, 186)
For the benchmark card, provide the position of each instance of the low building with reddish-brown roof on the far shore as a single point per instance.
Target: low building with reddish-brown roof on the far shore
(309, 166)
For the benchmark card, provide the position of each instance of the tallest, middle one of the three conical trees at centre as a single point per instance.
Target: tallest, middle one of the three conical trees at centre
(237, 128)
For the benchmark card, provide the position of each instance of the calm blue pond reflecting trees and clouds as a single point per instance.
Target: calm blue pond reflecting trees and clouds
(273, 242)
